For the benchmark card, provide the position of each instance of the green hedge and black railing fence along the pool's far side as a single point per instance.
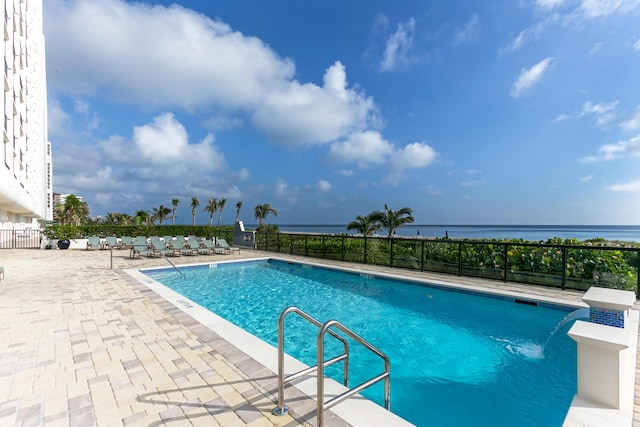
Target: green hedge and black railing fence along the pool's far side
(564, 264)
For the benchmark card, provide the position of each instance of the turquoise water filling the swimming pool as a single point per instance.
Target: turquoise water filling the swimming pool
(457, 358)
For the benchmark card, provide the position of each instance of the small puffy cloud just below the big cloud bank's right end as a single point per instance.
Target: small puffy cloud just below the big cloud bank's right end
(364, 148)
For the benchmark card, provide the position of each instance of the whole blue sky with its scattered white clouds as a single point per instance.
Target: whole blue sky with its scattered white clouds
(493, 112)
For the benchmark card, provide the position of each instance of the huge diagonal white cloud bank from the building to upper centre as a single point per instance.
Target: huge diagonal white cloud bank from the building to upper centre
(172, 57)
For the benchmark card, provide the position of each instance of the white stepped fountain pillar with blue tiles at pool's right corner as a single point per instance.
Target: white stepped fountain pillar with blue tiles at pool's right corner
(607, 347)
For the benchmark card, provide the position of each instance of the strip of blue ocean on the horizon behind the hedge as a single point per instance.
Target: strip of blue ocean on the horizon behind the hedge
(627, 233)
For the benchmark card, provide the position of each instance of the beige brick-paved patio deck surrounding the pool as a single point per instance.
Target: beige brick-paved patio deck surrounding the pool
(83, 344)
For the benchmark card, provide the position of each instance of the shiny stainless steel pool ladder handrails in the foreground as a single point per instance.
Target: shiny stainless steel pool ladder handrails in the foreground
(325, 328)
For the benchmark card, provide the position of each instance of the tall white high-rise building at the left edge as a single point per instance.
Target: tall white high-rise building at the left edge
(26, 198)
